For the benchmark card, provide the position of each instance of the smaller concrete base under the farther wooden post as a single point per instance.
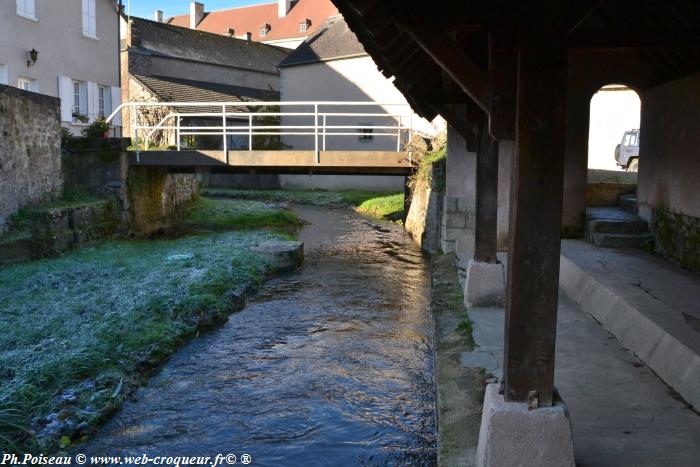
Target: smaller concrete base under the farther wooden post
(485, 285)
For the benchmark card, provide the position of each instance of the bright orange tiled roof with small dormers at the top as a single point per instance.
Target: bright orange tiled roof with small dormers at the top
(252, 18)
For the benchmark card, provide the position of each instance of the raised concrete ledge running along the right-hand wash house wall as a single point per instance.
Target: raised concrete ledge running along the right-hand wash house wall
(651, 305)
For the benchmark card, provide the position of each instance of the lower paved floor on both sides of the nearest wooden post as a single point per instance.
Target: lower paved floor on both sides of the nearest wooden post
(622, 414)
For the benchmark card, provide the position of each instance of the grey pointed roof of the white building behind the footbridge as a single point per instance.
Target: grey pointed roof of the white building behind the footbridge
(332, 40)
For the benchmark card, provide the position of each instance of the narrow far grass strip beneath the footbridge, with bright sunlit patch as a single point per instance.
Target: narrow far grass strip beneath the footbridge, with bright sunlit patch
(376, 204)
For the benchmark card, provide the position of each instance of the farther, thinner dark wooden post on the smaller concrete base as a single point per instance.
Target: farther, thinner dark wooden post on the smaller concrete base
(485, 233)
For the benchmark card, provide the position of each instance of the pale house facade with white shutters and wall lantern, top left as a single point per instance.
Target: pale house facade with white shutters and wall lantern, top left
(67, 49)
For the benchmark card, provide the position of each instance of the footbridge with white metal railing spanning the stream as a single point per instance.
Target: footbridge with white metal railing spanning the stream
(343, 138)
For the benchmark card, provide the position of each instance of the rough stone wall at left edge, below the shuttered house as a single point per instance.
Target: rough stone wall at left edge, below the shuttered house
(30, 150)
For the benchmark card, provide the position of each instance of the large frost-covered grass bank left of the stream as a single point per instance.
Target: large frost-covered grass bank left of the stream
(82, 331)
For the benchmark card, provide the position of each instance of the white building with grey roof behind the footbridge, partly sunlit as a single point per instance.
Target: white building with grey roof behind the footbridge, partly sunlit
(332, 66)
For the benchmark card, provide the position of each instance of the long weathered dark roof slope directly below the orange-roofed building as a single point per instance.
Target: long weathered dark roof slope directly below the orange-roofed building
(184, 43)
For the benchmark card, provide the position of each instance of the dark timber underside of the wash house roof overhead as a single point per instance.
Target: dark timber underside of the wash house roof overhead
(654, 41)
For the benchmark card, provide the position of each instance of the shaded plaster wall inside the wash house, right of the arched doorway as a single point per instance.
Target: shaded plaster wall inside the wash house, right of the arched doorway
(668, 168)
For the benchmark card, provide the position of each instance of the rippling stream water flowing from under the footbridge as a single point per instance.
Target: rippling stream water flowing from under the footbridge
(331, 365)
